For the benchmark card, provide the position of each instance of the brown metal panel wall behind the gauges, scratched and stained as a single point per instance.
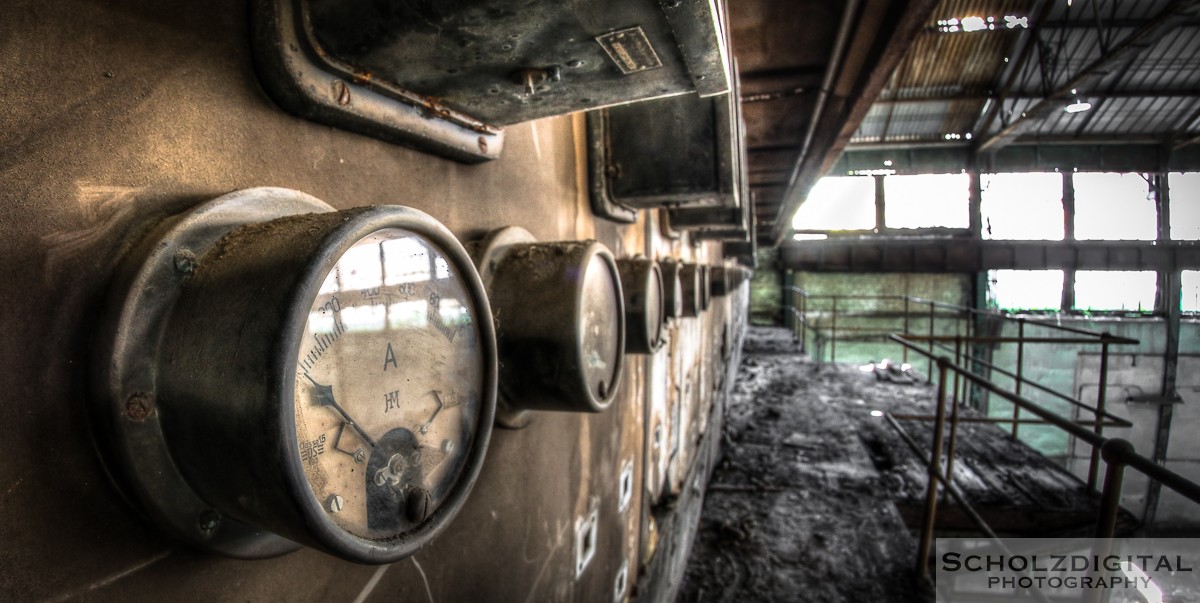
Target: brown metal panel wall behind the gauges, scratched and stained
(130, 114)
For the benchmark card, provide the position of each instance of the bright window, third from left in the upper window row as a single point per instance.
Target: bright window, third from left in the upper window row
(1023, 207)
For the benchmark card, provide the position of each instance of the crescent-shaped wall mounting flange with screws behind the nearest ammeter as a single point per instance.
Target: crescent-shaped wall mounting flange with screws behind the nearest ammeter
(127, 422)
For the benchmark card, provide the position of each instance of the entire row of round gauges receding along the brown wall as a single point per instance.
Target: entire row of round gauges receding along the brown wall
(275, 373)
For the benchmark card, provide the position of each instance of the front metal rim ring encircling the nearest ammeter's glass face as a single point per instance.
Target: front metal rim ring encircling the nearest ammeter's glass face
(333, 538)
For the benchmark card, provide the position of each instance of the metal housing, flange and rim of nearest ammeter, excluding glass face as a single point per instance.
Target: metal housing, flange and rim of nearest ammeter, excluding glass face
(165, 474)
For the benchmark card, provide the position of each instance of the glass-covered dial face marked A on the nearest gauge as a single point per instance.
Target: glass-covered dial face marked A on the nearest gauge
(389, 385)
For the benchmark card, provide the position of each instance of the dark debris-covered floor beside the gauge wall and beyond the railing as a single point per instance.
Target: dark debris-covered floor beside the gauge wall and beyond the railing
(817, 495)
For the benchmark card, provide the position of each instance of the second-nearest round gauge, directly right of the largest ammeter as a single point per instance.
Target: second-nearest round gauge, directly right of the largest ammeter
(562, 324)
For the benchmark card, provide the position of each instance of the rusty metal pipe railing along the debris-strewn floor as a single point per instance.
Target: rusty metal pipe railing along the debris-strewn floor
(1118, 453)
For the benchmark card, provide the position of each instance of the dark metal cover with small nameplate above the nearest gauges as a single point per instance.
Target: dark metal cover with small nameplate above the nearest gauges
(506, 62)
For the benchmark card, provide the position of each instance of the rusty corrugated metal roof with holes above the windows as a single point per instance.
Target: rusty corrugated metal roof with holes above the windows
(950, 80)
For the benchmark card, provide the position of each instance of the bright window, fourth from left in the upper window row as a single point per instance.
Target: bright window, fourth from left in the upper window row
(1114, 207)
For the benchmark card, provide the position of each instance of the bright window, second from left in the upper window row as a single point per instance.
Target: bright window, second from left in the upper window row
(927, 201)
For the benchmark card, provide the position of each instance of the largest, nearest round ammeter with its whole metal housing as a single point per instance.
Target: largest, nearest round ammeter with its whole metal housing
(319, 378)
